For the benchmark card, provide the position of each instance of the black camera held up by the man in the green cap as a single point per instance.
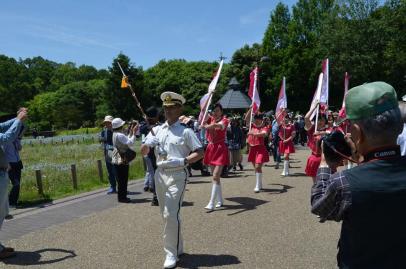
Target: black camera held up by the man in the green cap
(335, 147)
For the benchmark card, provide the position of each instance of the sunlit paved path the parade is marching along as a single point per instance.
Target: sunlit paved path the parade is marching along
(272, 229)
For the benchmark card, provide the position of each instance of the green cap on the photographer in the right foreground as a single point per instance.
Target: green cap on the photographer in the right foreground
(370, 99)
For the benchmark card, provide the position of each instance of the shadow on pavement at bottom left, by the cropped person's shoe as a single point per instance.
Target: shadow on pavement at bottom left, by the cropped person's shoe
(34, 257)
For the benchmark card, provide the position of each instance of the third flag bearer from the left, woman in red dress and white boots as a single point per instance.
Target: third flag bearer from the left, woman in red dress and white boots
(286, 134)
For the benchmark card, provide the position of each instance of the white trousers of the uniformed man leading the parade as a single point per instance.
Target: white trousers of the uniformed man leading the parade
(170, 186)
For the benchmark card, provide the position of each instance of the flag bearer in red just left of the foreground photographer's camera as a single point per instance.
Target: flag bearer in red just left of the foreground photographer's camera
(313, 142)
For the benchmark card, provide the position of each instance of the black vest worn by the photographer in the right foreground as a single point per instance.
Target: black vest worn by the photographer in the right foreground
(373, 232)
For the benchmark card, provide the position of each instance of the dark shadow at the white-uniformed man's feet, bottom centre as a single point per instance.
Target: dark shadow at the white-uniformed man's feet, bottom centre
(195, 261)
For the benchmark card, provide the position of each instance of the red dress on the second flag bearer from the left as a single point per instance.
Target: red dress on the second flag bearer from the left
(257, 152)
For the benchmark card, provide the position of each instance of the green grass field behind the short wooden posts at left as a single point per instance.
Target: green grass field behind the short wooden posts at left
(55, 161)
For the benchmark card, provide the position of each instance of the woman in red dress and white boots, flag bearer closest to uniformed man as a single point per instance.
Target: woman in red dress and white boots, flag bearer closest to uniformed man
(216, 155)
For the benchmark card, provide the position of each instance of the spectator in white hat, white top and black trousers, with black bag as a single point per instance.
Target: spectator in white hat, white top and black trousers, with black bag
(121, 143)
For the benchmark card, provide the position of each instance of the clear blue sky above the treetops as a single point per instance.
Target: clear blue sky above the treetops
(93, 32)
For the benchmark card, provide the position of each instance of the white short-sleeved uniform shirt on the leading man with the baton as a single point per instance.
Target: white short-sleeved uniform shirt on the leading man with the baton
(176, 140)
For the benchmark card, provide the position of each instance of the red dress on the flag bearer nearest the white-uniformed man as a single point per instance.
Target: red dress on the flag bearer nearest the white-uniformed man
(217, 152)
